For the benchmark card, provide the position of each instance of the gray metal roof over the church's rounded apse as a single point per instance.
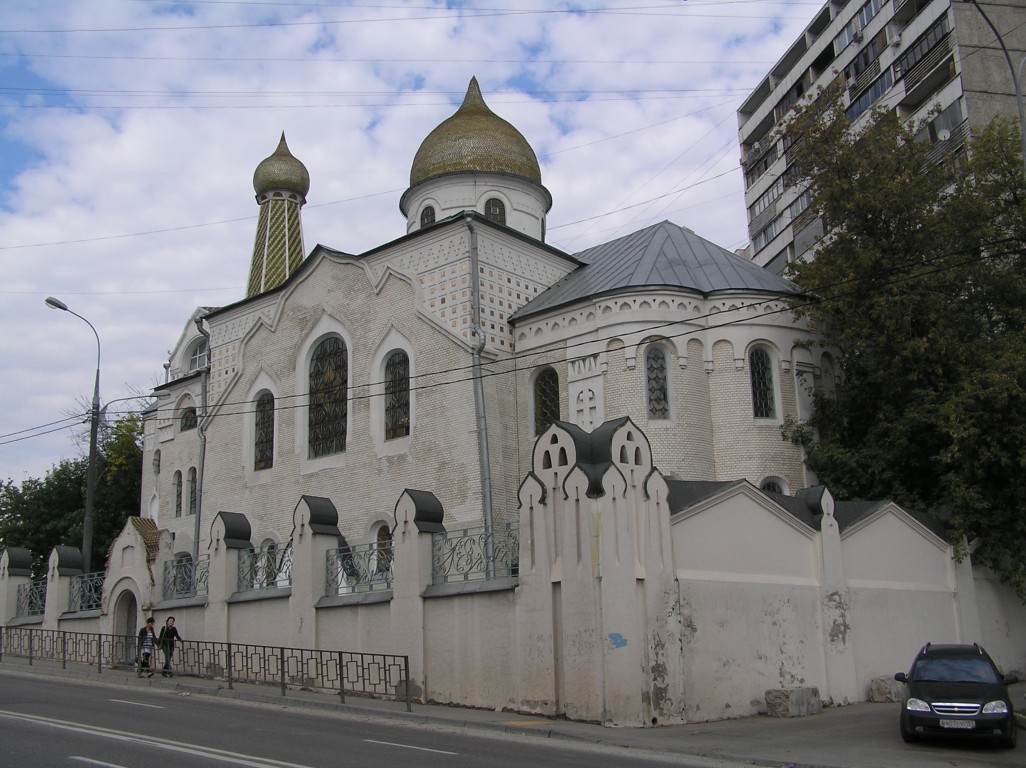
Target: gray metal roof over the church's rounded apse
(663, 256)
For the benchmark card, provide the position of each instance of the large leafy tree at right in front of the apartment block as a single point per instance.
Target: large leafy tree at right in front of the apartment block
(920, 287)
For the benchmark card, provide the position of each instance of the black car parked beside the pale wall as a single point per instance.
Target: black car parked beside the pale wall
(957, 691)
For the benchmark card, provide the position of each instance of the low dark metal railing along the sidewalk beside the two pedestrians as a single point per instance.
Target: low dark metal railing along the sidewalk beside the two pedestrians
(340, 673)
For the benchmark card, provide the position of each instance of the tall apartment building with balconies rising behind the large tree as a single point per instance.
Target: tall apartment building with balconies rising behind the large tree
(937, 63)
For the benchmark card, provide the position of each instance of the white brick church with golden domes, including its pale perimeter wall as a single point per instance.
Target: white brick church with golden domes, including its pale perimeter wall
(556, 481)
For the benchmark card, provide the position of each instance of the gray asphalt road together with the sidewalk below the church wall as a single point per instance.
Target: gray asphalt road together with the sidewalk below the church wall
(51, 717)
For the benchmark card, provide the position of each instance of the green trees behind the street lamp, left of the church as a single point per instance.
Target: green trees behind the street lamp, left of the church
(43, 514)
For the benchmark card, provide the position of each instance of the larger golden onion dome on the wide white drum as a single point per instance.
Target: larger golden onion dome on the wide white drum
(476, 139)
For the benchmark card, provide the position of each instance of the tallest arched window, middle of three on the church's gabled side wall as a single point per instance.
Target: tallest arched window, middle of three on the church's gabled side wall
(329, 391)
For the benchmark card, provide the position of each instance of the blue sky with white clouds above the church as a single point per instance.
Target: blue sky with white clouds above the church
(130, 132)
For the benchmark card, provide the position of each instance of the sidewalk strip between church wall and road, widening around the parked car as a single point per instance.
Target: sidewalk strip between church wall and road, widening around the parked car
(839, 738)
